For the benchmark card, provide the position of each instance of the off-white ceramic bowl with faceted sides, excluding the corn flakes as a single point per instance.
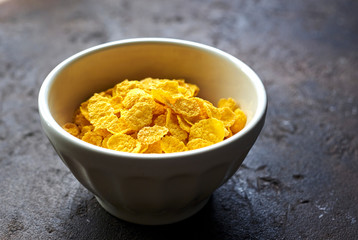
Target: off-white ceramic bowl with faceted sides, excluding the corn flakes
(151, 188)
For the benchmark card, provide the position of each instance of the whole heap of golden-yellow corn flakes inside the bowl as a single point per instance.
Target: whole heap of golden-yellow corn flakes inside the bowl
(154, 116)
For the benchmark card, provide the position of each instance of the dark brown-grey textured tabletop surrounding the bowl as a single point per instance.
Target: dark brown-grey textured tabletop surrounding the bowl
(300, 180)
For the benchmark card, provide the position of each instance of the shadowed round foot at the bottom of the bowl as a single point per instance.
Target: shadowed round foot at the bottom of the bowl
(167, 217)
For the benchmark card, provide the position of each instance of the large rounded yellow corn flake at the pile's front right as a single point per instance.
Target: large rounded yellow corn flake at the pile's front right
(211, 129)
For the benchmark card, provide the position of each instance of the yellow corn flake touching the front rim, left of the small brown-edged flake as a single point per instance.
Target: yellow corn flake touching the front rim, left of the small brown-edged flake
(123, 142)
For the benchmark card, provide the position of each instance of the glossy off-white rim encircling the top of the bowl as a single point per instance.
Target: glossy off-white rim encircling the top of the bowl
(49, 120)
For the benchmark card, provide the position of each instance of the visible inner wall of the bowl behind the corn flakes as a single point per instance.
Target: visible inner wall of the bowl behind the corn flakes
(217, 74)
